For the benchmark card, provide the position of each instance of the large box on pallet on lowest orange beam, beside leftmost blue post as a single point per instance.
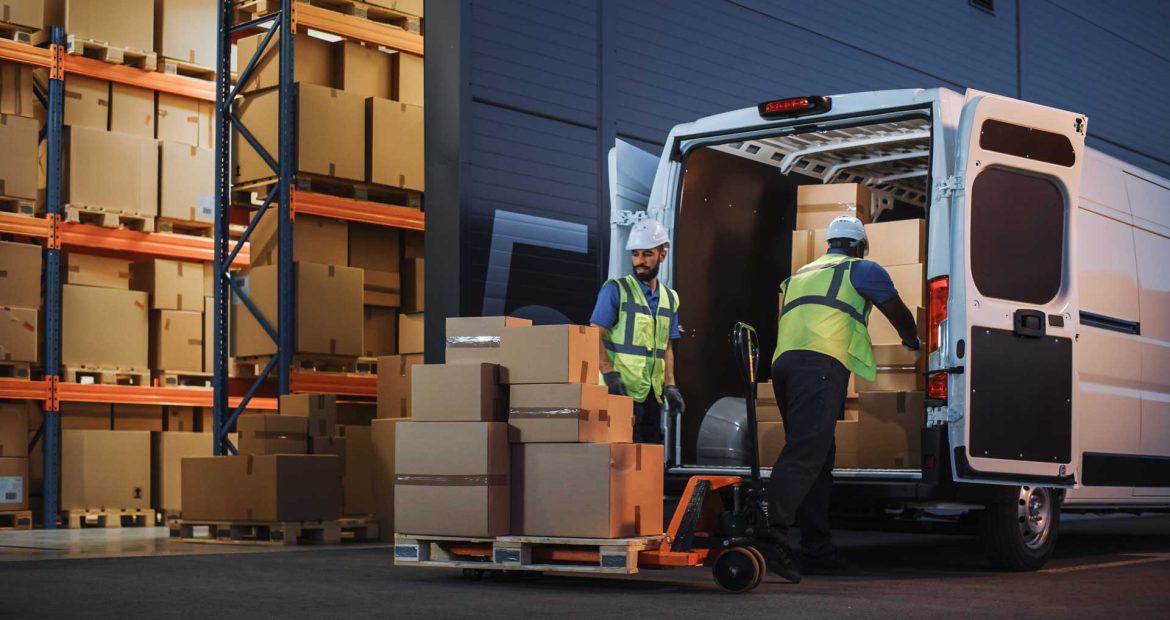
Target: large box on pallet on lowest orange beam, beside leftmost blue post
(105, 327)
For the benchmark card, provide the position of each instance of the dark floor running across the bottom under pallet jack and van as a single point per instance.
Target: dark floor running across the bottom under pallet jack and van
(1117, 568)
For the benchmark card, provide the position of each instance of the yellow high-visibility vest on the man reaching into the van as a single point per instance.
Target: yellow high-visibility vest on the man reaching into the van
(824, 313)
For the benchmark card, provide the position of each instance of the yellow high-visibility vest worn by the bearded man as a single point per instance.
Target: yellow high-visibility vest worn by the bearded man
(638, 341)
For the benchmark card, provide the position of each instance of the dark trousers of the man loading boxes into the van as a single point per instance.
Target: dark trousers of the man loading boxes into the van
(811, 390)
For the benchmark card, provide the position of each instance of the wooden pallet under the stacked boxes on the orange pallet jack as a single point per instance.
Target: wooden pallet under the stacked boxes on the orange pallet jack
(542, 554)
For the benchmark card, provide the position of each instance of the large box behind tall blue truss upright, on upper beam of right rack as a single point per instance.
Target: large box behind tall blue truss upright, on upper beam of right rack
(333, 149)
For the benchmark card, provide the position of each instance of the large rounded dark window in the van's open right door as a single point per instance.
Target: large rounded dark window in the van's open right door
(1017, 236)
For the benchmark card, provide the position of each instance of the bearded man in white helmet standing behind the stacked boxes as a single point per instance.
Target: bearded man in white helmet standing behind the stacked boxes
(639, 319)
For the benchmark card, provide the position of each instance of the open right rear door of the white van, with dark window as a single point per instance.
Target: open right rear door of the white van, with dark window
(1014, 307)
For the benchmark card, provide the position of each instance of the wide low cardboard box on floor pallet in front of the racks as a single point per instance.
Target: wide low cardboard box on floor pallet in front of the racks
(283, 487)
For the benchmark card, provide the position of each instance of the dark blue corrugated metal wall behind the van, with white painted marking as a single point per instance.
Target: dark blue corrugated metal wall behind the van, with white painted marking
(553, 84)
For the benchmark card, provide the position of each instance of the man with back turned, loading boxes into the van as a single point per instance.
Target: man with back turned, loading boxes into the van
(823, 337)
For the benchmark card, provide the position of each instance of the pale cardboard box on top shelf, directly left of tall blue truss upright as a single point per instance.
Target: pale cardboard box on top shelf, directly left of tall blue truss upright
(185, 31)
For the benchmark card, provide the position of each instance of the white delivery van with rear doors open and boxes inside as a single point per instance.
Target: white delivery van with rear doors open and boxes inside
(1048, 294)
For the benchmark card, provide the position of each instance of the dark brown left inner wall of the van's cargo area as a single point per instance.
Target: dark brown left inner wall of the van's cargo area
(734, 247)
